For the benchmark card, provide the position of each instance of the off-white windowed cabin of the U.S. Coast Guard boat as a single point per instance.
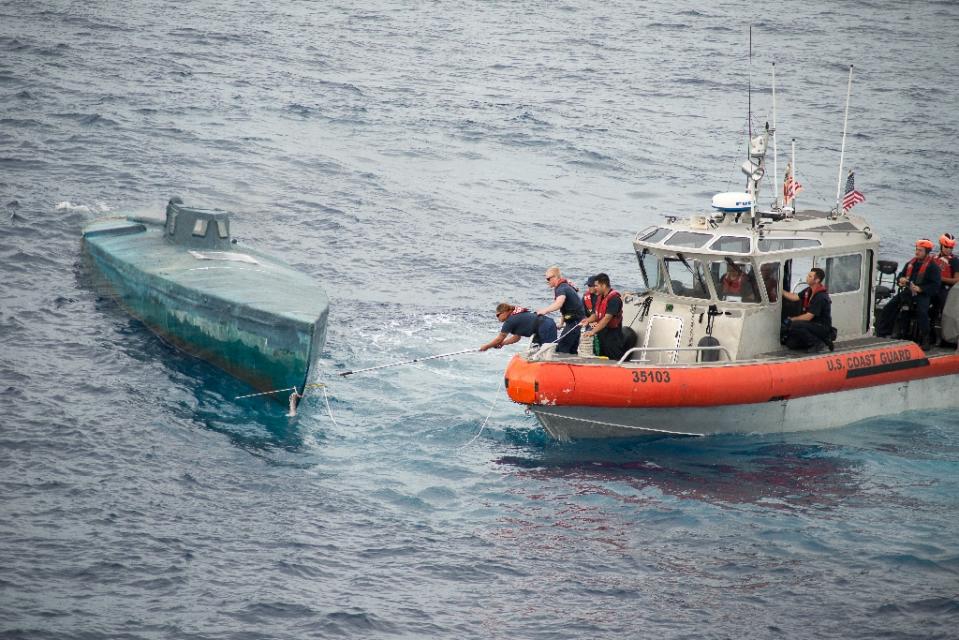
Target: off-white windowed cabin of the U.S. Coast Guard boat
(714, 282)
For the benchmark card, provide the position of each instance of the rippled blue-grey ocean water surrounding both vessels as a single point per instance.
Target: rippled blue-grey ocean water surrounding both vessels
(425, 161)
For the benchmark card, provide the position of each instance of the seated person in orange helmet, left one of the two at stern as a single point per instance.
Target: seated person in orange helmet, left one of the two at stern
(920, 280)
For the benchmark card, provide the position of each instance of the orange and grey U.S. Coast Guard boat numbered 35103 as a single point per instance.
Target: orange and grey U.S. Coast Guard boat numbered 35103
(707, 361)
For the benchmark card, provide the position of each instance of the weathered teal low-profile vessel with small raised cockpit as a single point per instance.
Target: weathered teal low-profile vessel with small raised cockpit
(243, 311)
